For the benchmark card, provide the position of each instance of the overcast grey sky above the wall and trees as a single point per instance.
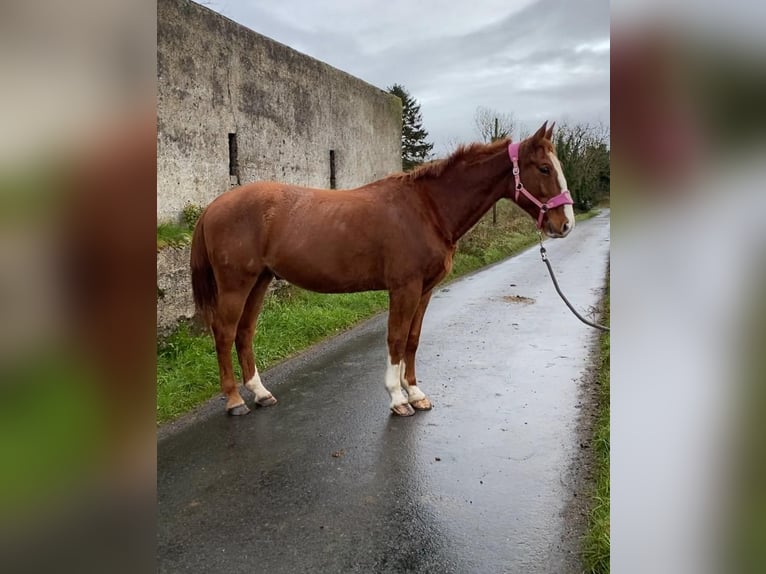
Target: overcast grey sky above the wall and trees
(535, 59)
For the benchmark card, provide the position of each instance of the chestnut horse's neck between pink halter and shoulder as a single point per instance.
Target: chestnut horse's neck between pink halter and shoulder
(464, 194)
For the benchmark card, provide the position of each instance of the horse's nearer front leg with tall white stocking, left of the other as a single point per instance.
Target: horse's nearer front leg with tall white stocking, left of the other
(403, 304)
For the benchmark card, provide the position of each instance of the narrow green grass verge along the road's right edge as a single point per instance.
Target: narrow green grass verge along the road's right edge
(595, 547)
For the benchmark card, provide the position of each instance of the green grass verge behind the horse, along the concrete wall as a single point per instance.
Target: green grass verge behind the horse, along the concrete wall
(294, 319)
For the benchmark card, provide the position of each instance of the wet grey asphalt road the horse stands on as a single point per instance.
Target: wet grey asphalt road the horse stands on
(327, 481)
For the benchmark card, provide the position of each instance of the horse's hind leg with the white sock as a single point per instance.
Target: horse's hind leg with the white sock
(244, 341)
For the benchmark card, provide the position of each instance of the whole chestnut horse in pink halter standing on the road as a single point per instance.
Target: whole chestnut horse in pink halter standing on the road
(396, 234)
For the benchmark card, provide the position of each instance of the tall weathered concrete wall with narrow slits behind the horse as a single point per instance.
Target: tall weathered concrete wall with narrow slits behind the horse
(287, 109)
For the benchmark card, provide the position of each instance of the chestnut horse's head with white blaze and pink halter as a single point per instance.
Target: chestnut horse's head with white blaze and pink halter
(538, 185)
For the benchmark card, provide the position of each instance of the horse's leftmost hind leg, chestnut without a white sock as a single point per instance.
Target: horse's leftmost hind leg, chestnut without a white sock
(227, 315)
